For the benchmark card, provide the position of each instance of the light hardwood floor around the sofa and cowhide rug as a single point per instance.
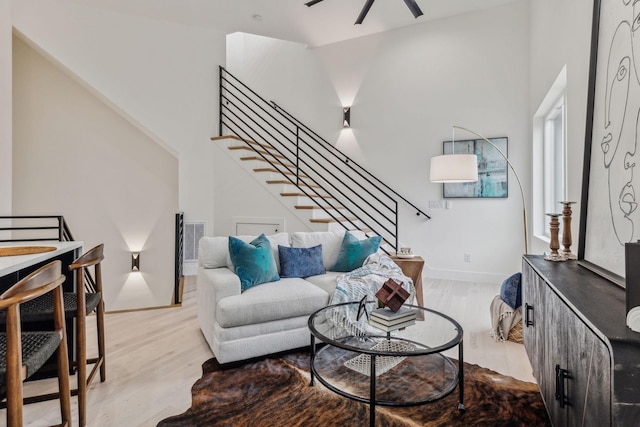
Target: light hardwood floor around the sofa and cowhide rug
(155, 356)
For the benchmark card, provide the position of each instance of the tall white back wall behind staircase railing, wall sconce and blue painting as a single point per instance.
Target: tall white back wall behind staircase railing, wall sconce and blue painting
(407, 88)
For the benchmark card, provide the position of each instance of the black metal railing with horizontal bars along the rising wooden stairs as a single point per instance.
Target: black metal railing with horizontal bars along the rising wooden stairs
(336, 184)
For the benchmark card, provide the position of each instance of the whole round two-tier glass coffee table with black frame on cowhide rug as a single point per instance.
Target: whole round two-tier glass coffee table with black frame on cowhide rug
(403, 367)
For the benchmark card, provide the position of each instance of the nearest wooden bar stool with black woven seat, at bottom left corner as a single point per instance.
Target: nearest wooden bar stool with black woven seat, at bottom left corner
(22, 354)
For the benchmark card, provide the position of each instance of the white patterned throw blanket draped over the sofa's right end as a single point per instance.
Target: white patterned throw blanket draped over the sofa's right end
(364, 281)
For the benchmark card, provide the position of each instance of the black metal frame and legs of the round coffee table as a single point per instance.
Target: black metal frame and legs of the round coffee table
(457, 341)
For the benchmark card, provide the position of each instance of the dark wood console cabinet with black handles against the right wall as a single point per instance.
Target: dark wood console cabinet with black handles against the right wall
(585, 359)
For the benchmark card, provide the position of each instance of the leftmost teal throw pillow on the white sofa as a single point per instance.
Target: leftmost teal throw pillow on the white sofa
(253, 262)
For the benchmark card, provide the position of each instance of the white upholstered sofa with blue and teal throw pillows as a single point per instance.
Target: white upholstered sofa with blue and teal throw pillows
(267, 318)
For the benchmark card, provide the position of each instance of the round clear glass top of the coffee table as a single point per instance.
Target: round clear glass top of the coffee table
(339, 325)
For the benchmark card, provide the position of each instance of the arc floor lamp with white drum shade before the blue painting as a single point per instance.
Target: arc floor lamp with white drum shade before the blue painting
(456, 168)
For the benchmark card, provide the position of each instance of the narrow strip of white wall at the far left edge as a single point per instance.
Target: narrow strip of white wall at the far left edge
(5, 107)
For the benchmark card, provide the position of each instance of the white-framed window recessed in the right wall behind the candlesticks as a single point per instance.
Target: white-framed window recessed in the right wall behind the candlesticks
(549, 156)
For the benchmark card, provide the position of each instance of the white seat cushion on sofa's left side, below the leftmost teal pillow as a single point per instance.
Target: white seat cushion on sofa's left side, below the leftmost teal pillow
(284, 299)
